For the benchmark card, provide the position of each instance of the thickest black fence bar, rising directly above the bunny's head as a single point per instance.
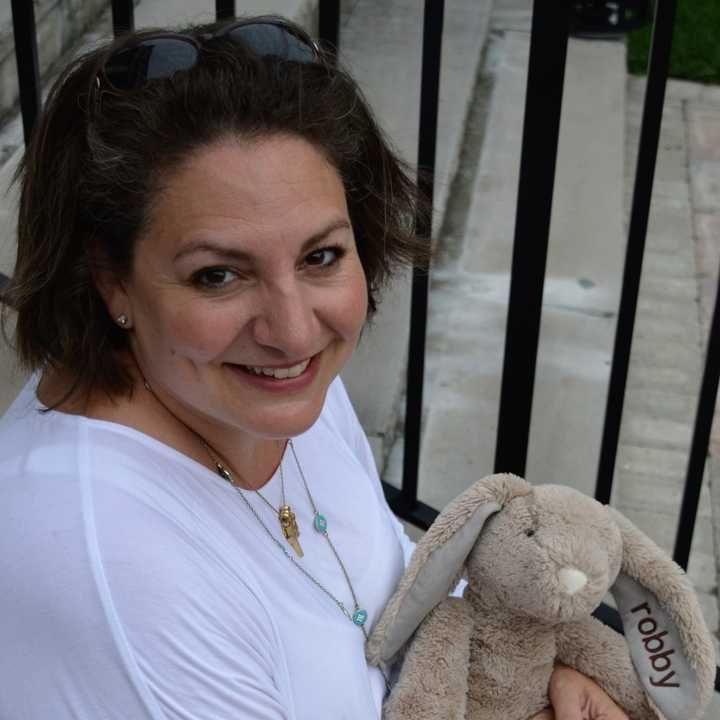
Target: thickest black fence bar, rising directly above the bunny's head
(543, 103)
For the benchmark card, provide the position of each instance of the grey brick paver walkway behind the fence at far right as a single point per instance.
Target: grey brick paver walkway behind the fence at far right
(676, 296)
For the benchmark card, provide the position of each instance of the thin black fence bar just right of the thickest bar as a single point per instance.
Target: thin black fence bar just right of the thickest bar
(642, 195)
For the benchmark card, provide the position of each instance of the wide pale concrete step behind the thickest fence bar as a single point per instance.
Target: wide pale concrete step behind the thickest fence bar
(469, 294)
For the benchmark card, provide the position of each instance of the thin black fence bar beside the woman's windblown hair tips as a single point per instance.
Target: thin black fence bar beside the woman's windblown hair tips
(429, 98)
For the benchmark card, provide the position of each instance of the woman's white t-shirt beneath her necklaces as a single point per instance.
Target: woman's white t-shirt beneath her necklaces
(135, 584)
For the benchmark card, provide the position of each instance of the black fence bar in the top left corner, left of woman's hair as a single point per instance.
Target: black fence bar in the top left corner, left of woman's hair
(23, 13)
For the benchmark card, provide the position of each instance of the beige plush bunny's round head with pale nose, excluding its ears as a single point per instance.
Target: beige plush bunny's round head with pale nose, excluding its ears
(551, 553)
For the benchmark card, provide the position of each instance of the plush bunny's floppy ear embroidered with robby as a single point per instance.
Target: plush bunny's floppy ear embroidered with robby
(671, 647)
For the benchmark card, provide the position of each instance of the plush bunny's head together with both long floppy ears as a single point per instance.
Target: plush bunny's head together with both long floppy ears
(551, 553)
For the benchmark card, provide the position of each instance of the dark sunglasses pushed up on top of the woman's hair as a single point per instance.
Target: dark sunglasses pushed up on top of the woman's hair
(161, 55)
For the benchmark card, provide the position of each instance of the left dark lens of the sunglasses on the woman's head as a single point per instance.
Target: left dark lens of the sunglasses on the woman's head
(151, 59)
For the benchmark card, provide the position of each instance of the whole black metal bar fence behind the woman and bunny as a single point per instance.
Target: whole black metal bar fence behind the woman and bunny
(552, 22)
